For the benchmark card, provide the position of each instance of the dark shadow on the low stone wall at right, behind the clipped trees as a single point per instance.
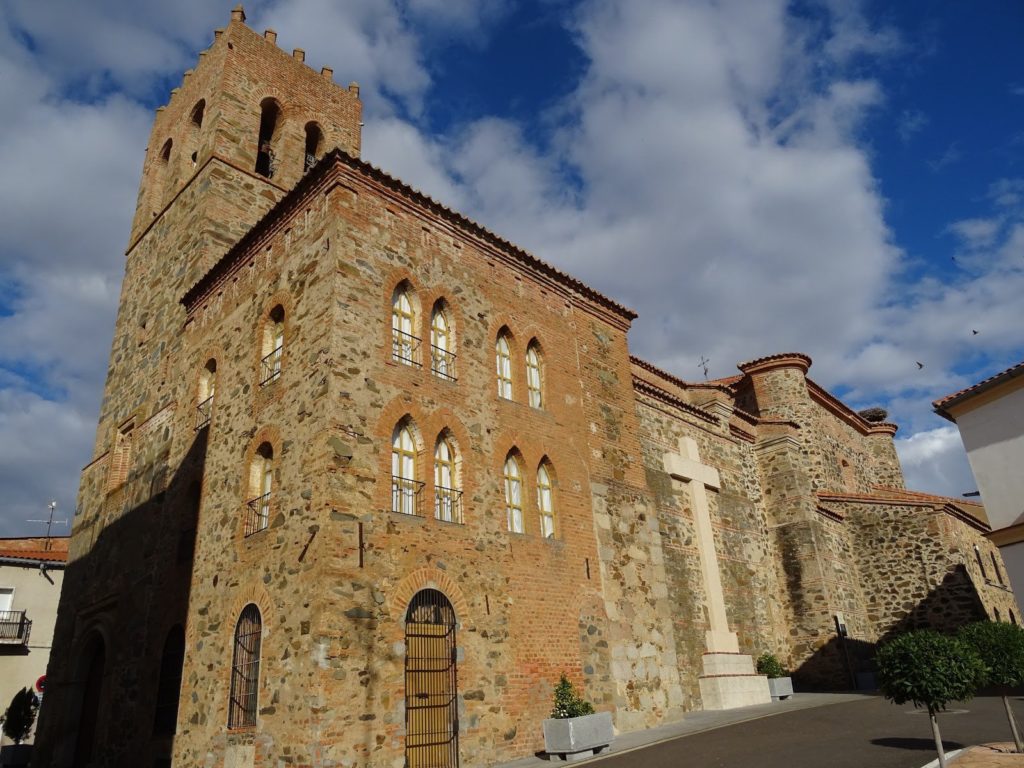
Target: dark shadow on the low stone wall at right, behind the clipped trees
(848, 664)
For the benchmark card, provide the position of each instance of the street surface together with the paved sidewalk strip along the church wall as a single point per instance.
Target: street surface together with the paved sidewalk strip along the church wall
(817, 731)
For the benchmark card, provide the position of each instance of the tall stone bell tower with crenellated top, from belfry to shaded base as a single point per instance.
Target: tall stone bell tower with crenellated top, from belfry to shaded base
(241, 132)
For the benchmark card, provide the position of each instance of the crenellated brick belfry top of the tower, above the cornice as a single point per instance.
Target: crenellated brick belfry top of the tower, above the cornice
(251, 106)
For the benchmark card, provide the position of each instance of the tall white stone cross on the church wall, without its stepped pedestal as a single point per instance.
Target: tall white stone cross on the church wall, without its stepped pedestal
(687, 466)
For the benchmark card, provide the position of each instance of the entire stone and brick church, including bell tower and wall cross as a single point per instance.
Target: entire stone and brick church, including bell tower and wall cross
(389, 477)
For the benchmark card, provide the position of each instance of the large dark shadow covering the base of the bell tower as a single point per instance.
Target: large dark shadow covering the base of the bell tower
(113, 687)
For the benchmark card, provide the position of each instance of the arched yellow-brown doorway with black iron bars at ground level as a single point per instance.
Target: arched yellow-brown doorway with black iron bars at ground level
(432, 684)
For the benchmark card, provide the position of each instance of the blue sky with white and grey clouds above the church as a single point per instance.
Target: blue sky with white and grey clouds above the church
(836, 178)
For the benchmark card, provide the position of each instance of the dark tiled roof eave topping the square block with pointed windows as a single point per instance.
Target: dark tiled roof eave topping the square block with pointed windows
(321, 172)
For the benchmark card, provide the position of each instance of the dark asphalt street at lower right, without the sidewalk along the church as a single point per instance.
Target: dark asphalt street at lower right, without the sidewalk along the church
(863, 734)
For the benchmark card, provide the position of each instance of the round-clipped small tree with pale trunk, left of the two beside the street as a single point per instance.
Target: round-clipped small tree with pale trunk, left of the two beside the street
(930, 670)
